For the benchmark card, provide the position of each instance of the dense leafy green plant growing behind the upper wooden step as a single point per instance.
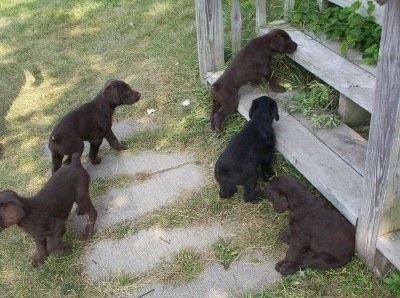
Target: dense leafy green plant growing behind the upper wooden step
(342, 23)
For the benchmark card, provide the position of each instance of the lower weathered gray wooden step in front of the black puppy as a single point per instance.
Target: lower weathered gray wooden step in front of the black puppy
(334, 170)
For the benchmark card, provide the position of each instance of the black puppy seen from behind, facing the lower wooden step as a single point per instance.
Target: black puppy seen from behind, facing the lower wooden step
(248, 151)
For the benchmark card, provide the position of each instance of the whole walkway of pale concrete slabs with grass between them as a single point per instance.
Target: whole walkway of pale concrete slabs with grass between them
(167, 177)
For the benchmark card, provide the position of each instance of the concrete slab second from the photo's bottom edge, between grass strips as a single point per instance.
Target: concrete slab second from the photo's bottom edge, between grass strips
(142, 251)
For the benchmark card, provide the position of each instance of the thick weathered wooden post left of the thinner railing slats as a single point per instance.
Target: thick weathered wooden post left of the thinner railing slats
(210, 35)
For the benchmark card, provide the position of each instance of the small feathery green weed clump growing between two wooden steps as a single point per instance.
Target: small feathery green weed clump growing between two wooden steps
(318, 101)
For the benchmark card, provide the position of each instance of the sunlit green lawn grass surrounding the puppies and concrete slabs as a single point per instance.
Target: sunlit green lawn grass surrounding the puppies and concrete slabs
(56, 55)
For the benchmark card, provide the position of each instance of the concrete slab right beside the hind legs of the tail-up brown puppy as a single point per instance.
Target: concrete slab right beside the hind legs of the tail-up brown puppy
(140, 198)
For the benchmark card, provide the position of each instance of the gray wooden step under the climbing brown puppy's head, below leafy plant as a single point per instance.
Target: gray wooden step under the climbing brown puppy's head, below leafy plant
(355, 82)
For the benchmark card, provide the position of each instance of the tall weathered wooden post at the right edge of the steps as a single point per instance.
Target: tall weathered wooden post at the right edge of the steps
(379, 212)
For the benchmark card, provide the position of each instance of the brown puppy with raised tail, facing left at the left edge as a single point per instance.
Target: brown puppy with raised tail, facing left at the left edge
(43, 216)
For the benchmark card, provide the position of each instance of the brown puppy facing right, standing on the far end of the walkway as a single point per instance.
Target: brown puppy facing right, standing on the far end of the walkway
(90, 122)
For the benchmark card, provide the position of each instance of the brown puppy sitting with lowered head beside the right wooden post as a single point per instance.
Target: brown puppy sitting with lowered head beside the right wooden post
(319, 237)
